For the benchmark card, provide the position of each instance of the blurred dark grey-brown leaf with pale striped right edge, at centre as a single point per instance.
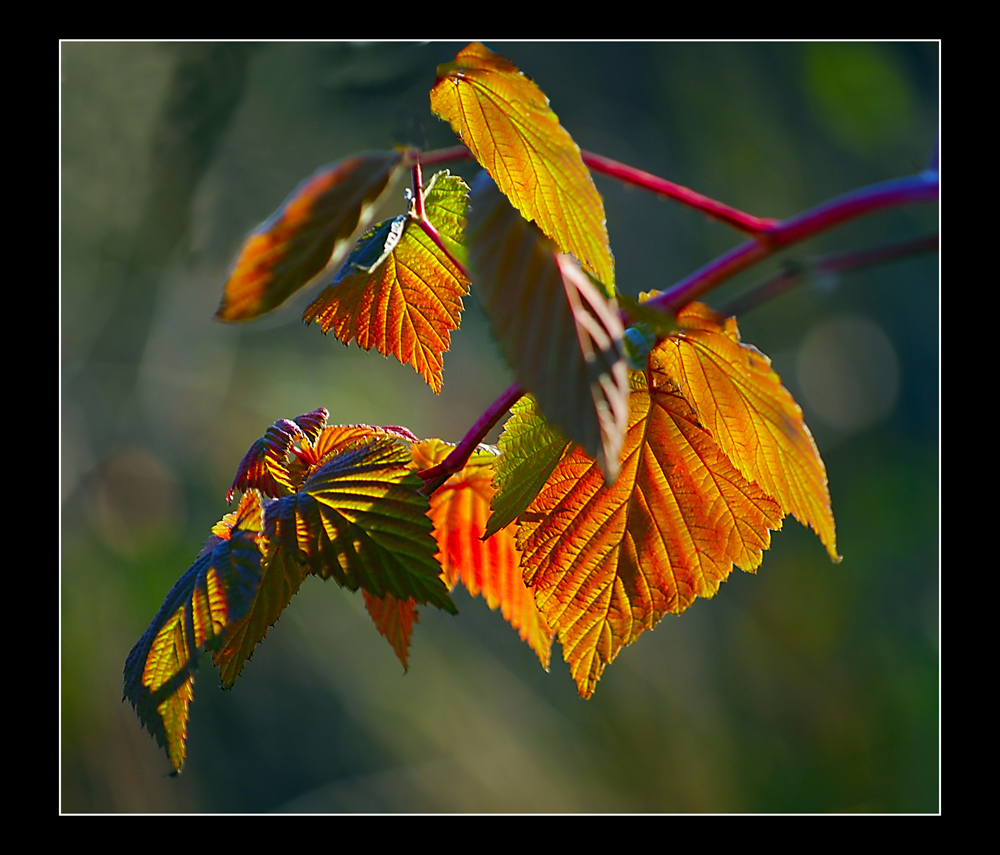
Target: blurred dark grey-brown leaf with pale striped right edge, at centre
(562, 337)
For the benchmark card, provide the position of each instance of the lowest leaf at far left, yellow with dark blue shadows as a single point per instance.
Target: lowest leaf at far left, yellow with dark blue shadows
(213, 594)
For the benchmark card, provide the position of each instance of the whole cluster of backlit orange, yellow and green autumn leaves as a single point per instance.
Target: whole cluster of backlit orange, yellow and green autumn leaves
(649, 453)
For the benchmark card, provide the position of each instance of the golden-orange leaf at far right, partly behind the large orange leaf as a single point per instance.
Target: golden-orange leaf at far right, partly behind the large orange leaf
(739, 398)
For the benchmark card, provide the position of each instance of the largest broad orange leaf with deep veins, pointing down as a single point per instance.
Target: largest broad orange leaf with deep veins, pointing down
(608, 561)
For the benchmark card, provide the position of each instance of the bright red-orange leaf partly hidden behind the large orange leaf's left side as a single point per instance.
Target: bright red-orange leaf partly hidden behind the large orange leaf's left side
(492, 568)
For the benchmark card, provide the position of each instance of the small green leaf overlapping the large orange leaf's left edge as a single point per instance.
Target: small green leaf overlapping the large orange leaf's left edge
(529, 451)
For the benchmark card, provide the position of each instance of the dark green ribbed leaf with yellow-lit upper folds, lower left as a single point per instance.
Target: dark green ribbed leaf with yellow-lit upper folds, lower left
(360, 519)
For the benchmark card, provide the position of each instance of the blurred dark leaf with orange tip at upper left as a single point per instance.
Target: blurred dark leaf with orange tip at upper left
(310, 230)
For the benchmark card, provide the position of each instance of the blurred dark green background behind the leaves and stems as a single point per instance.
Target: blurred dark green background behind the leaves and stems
(805, 687)
